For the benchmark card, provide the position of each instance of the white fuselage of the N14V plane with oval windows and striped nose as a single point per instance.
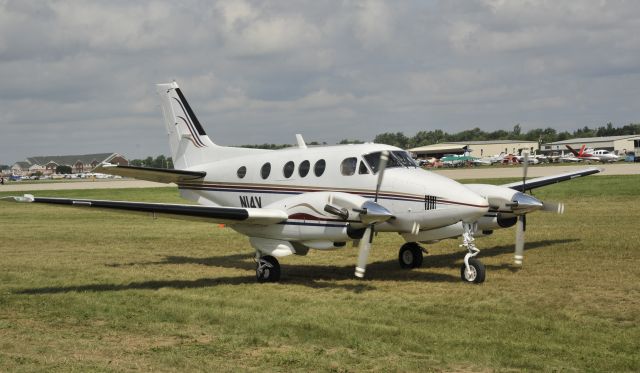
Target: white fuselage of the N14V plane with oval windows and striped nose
(262, 179)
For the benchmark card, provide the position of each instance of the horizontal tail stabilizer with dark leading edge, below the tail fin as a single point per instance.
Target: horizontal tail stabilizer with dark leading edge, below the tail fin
(159, 175)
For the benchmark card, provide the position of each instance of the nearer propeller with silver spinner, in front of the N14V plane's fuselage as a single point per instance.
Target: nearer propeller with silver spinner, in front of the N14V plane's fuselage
(371, 214)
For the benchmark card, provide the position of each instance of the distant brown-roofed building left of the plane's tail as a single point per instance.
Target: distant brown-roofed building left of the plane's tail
(47, 165)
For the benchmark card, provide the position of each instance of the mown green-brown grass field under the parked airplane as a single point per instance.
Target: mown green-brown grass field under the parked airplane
(87, 290)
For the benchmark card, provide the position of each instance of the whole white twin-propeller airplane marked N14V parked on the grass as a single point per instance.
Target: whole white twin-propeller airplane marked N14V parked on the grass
(293, 200)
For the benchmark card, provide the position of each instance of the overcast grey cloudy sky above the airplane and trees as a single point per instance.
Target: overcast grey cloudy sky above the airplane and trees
(78, 76)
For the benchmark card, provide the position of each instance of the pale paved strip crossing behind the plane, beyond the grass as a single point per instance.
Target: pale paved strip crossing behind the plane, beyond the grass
(454, 173)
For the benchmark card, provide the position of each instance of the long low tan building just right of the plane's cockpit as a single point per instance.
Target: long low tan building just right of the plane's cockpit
(476, 148)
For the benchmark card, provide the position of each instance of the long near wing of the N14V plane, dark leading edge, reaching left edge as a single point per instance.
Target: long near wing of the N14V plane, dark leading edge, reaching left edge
(224, 215)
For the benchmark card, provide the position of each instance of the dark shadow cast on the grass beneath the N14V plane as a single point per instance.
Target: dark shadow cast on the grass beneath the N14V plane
(312, 276)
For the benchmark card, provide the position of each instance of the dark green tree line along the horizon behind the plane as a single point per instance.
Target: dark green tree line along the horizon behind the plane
(423, 138)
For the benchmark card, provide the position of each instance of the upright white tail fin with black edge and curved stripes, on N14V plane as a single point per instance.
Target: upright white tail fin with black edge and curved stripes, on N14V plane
(186, 134)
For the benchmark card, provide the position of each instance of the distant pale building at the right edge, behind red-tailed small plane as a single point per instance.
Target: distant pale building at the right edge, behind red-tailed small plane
(617, 144)
